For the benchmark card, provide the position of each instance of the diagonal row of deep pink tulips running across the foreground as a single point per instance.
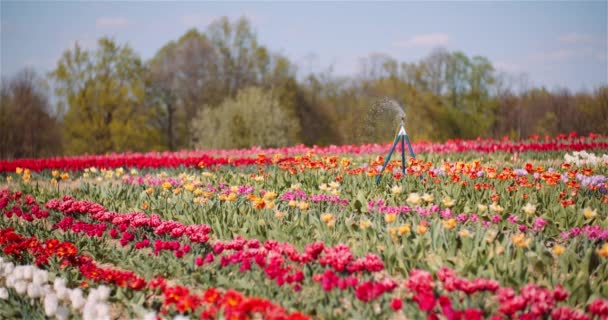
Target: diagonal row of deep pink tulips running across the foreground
(341, 260)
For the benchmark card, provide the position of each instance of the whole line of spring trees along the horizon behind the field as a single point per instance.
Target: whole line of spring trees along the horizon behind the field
(221, 88)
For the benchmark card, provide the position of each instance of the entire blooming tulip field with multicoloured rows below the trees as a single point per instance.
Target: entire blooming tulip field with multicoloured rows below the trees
(473, 229)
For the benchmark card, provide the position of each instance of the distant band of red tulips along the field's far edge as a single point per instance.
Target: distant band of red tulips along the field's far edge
(251, 156)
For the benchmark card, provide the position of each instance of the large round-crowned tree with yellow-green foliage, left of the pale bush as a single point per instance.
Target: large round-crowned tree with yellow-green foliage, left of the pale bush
(103, 96)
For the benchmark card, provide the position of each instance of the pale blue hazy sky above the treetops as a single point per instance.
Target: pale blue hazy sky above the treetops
(552, 44)
